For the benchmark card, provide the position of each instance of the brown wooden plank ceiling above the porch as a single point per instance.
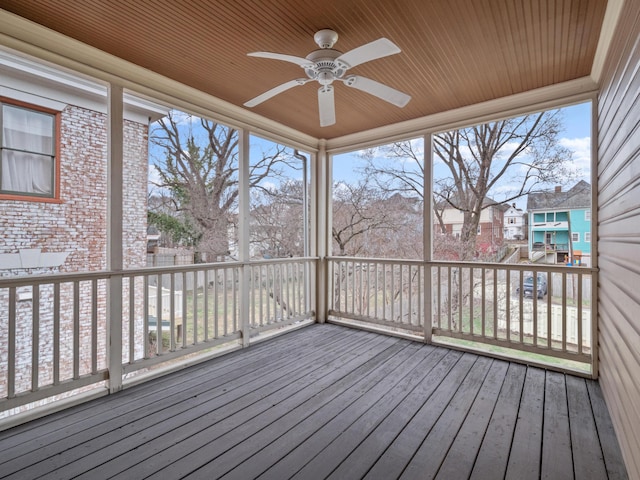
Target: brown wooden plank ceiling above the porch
(454, 52)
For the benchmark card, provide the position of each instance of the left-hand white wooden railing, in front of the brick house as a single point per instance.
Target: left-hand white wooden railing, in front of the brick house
(54, 328)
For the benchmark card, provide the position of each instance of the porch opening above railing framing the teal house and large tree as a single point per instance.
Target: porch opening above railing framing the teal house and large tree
(529, 173)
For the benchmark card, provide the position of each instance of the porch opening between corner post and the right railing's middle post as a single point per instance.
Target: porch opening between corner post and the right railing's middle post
(378, 198)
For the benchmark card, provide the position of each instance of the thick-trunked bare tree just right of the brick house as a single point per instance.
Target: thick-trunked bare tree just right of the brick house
(198, 166)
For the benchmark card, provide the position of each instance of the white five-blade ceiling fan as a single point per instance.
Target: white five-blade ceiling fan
(326, 65)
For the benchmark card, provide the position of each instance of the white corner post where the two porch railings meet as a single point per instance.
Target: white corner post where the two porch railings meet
(321, 166)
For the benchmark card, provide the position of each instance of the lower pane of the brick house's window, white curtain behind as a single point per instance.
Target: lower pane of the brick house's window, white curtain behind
(27, 173)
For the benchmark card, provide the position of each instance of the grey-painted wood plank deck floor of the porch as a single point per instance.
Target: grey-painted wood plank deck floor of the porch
(330, 402)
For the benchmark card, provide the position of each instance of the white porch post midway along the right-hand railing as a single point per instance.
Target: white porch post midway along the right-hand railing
(427, 230)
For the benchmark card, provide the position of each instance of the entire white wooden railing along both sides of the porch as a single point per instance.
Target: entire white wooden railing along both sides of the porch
(55, 328)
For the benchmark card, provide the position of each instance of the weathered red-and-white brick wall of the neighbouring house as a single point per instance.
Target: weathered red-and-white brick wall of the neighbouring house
(76, 225)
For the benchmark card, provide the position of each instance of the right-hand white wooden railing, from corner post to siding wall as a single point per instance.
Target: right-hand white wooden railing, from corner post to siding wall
(482, 303)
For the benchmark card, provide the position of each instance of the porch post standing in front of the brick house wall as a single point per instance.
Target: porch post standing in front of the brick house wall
(114, 236)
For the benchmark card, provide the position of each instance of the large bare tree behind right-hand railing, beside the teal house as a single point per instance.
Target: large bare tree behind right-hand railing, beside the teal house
(522, 152)
